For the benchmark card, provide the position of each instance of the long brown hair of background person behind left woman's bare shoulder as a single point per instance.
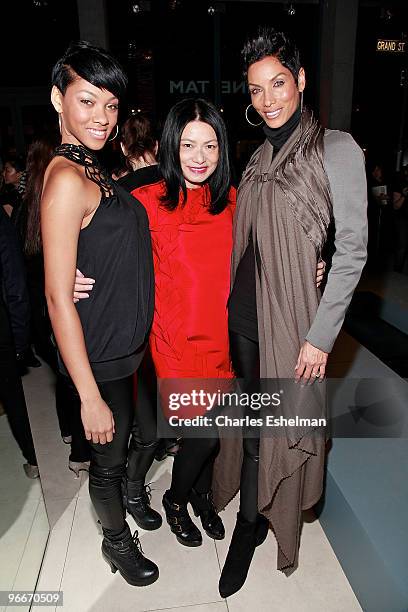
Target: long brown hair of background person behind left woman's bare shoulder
(39, 156)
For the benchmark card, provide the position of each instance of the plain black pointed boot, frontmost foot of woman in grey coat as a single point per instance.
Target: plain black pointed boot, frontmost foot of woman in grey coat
(239, 557)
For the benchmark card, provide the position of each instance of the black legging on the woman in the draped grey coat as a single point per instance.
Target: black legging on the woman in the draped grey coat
(245, 361)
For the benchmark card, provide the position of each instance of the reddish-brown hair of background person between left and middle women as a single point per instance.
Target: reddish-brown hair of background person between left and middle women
(138, 137)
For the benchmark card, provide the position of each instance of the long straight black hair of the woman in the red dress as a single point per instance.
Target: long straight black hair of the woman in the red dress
(179, 116)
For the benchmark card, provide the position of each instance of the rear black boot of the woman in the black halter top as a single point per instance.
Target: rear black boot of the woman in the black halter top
(136, 500)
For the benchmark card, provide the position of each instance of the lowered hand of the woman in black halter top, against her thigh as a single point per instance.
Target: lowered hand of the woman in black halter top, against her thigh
(98, 421)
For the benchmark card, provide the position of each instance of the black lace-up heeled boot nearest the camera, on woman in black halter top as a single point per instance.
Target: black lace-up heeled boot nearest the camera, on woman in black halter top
(125, 554)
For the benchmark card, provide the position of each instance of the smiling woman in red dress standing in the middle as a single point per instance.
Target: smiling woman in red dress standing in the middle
(190, 217)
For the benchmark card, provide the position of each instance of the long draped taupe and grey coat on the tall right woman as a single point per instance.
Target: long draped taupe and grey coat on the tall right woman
(288, 216)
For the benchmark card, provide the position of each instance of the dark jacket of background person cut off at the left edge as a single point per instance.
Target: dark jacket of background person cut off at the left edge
(14, 293)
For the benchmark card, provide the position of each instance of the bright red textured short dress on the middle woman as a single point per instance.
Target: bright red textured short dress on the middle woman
(192, 255)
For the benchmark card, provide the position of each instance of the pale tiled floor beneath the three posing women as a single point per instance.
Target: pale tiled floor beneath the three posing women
(188, 577)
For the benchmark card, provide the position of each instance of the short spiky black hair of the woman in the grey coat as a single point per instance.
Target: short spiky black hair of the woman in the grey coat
(270, 42)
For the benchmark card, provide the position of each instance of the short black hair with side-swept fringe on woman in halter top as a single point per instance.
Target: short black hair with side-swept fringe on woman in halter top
(93, 64)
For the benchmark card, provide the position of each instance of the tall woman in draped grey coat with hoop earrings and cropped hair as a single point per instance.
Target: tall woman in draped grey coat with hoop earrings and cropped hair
(301, 178)
